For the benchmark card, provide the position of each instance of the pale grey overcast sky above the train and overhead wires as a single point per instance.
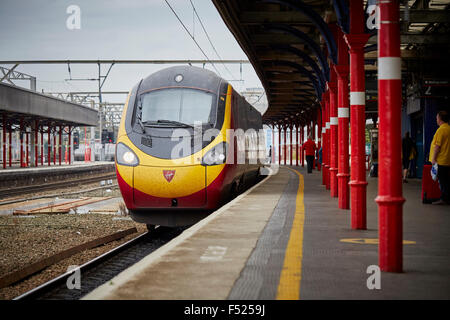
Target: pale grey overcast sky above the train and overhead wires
(112, 29)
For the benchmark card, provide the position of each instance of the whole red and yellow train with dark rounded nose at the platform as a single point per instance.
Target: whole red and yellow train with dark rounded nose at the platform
(187, 144)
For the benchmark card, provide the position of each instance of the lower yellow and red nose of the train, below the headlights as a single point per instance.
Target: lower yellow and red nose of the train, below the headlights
(156, 183)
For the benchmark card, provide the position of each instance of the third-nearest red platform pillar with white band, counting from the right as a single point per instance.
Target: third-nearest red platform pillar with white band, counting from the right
(342, 70)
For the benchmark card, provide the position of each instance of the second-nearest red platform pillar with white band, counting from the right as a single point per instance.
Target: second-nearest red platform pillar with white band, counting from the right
(356, 41)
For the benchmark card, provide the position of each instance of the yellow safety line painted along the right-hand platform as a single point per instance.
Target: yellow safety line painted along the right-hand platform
(291, 274)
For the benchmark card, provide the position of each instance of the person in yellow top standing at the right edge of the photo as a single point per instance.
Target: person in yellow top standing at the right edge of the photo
(440, 154)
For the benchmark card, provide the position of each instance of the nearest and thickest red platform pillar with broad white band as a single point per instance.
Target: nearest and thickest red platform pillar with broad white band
(390, 199)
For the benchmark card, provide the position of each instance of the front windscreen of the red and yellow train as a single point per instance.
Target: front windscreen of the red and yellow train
(187, 106)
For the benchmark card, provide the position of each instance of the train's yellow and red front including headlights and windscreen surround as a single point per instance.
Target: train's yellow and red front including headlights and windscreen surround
(149, 182)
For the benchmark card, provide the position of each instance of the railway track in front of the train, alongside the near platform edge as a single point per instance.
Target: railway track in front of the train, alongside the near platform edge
(103, 268)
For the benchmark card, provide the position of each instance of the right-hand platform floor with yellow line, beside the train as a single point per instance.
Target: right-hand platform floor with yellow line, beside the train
(285, 238)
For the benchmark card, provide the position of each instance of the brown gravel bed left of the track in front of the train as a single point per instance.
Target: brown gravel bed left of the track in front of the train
(24, 241)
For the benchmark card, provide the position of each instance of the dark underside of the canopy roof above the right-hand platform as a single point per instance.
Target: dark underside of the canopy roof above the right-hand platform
(290, 45)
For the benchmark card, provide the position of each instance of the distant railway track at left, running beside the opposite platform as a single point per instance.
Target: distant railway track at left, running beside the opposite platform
(4, 193)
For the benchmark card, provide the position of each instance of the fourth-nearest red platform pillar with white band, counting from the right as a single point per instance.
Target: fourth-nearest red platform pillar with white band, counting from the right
(333, 134)
